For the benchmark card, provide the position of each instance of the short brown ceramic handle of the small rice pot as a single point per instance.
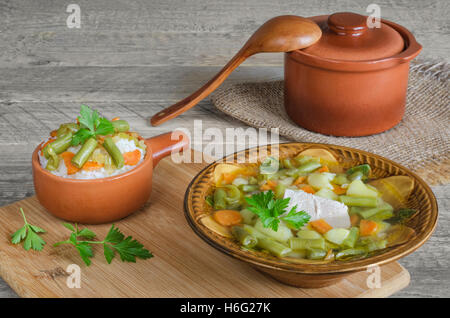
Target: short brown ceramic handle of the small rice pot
(163, 145)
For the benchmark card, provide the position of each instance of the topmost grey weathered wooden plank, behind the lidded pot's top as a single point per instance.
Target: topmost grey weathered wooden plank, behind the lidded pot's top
(162, 32)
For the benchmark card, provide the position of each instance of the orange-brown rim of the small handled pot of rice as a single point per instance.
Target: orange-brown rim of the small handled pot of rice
(36, 165)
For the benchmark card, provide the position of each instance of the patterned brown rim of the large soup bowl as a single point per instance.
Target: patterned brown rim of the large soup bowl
(316, 269)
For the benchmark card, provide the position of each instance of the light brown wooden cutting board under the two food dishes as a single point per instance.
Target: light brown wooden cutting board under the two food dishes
(183, 265)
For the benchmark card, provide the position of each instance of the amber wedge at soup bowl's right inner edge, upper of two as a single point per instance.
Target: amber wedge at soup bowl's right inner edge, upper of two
(394, 190)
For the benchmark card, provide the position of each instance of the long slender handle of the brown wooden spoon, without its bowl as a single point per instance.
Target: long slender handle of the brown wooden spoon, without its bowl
(192, 100)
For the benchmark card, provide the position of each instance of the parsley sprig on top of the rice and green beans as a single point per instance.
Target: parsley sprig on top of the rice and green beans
(91, 125)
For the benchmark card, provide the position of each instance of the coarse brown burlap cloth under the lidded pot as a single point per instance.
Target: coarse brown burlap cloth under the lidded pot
(420, 141)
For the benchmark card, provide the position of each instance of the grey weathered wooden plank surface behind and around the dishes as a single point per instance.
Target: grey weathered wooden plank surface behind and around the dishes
(133, 58)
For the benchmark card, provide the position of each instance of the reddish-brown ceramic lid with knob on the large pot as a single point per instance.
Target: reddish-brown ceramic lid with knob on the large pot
(346, 36)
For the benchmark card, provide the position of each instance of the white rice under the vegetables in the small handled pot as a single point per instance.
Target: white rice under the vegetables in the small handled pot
(123, 144)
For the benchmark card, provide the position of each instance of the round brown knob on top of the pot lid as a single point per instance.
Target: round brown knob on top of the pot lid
(347, 23)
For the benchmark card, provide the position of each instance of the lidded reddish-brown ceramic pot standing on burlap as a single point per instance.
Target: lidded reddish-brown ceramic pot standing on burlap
(353, 81)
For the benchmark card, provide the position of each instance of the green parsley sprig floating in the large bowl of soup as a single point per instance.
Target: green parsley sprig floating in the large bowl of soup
(271, 211)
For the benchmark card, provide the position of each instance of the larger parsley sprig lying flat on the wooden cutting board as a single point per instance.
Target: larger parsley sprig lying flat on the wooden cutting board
(128, 248)
